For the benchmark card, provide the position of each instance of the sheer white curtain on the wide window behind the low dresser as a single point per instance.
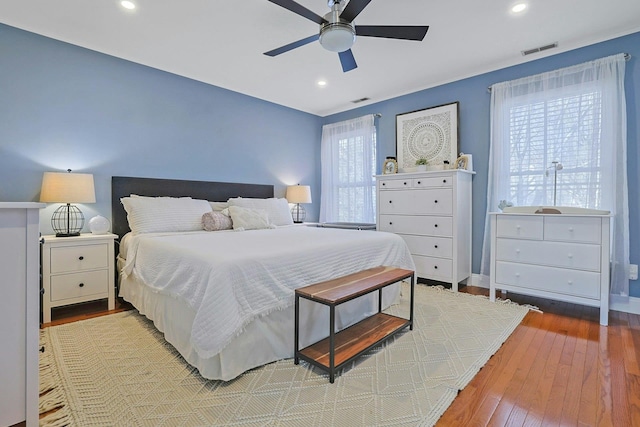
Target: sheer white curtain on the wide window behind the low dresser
(576, 116)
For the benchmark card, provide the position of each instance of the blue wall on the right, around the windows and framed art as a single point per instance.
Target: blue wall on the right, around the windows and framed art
(474, 125)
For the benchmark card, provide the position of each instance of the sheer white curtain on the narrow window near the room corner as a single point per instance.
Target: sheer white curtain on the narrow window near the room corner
(348, 158)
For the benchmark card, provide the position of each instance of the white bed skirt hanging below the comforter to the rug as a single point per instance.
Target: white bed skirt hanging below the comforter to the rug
(266, 339)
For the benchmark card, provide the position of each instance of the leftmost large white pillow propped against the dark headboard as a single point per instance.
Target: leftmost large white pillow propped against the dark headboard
(164, 214)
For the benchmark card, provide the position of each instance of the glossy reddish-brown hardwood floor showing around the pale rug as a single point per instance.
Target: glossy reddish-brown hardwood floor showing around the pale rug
(558, 368)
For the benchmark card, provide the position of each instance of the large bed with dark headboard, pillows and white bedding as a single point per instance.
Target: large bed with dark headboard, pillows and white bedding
(224, 299)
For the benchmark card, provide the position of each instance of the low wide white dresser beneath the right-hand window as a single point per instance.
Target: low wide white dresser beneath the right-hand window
(557, 256)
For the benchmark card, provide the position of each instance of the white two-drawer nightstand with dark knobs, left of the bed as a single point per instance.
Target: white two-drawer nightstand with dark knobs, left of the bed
(77, 269)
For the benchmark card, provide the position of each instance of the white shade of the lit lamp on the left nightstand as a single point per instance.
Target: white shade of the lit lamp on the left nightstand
(63, 187)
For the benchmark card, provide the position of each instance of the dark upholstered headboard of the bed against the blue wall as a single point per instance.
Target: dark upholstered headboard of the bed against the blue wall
(213, 191)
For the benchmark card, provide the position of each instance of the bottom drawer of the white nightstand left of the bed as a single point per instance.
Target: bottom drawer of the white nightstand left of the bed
(77, 285)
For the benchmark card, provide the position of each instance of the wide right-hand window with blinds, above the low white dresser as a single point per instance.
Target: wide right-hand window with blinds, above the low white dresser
(556, 128)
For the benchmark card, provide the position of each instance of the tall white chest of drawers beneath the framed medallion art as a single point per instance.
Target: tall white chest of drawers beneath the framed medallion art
(432, 213)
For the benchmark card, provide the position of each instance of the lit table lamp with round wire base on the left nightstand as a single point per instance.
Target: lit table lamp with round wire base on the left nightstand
(67, 188)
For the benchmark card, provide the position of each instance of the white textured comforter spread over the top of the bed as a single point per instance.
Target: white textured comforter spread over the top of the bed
(230, 278)
